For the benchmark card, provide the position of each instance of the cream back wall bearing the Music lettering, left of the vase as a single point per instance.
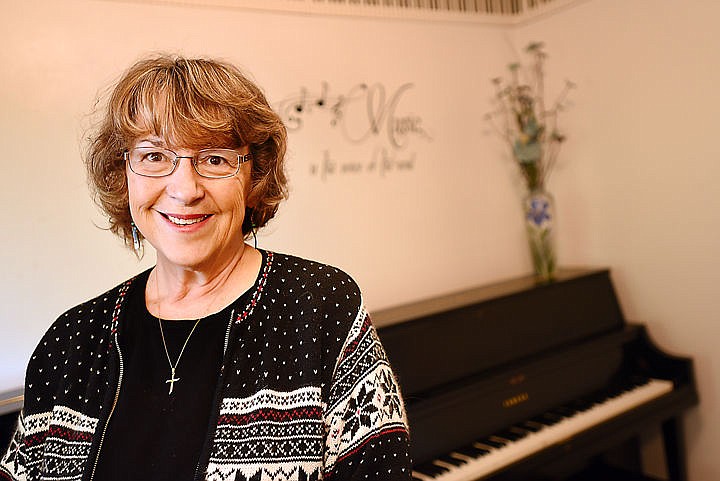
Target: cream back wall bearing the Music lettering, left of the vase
(403, 235)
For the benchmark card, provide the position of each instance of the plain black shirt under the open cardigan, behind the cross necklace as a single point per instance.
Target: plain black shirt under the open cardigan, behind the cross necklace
(153, 434)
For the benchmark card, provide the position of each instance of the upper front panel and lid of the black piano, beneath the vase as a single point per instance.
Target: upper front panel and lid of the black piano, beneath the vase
(464, 333)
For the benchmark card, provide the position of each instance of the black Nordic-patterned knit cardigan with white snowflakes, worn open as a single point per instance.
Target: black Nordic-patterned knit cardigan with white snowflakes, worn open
(326, 408)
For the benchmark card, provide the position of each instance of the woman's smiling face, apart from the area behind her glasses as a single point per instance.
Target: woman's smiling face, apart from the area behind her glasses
(192, 221)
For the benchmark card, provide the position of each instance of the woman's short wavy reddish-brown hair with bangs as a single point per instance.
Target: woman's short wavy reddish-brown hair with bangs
(194, 103)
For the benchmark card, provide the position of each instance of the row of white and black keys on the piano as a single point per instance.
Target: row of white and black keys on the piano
(490, 454)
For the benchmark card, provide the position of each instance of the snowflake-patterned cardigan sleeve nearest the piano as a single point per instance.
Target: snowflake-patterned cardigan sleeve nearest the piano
(367, 432)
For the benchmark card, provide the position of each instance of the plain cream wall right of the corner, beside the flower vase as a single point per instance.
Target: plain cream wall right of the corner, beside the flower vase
(639, 191)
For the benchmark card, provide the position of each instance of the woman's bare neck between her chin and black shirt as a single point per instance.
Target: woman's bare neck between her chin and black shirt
(180, 292)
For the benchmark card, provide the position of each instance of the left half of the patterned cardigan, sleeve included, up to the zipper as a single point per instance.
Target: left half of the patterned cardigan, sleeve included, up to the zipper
(64, 385)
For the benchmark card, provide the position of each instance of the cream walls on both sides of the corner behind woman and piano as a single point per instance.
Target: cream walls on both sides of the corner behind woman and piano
(635, 186)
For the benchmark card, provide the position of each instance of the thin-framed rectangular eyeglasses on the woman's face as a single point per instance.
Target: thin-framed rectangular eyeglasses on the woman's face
(159, 162)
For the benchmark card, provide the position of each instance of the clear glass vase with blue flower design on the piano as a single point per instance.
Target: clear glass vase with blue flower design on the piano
(539, 210)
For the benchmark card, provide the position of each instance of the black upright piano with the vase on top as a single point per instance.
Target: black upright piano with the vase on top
(526, 381)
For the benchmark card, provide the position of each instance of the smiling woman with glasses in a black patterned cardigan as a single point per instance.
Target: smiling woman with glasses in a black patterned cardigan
(222, 362)
